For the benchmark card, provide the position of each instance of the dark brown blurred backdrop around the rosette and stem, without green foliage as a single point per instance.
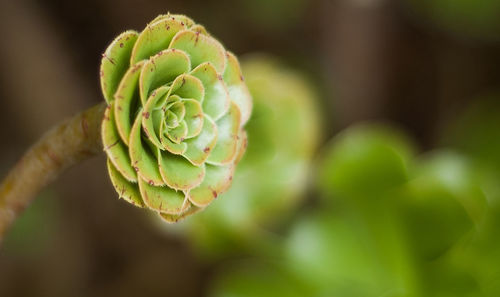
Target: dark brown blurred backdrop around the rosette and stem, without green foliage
(370, 59)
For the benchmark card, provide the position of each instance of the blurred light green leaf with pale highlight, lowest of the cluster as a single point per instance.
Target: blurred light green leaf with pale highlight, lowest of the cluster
(336, 256)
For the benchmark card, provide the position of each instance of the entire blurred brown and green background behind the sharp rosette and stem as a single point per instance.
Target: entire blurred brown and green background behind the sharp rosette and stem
(373, 166)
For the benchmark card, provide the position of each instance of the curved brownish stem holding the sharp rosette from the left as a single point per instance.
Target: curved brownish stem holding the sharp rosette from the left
(67, 144)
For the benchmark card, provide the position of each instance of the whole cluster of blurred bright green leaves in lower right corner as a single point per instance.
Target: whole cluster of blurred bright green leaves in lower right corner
(391, 224)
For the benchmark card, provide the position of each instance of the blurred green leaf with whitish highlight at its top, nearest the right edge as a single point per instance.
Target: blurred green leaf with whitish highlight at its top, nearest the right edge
(442, 204)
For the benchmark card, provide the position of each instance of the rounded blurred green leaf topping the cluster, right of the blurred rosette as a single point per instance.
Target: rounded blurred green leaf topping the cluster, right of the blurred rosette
(365, 160)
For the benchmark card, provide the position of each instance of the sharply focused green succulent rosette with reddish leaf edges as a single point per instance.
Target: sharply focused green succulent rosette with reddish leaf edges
(177, 104)
